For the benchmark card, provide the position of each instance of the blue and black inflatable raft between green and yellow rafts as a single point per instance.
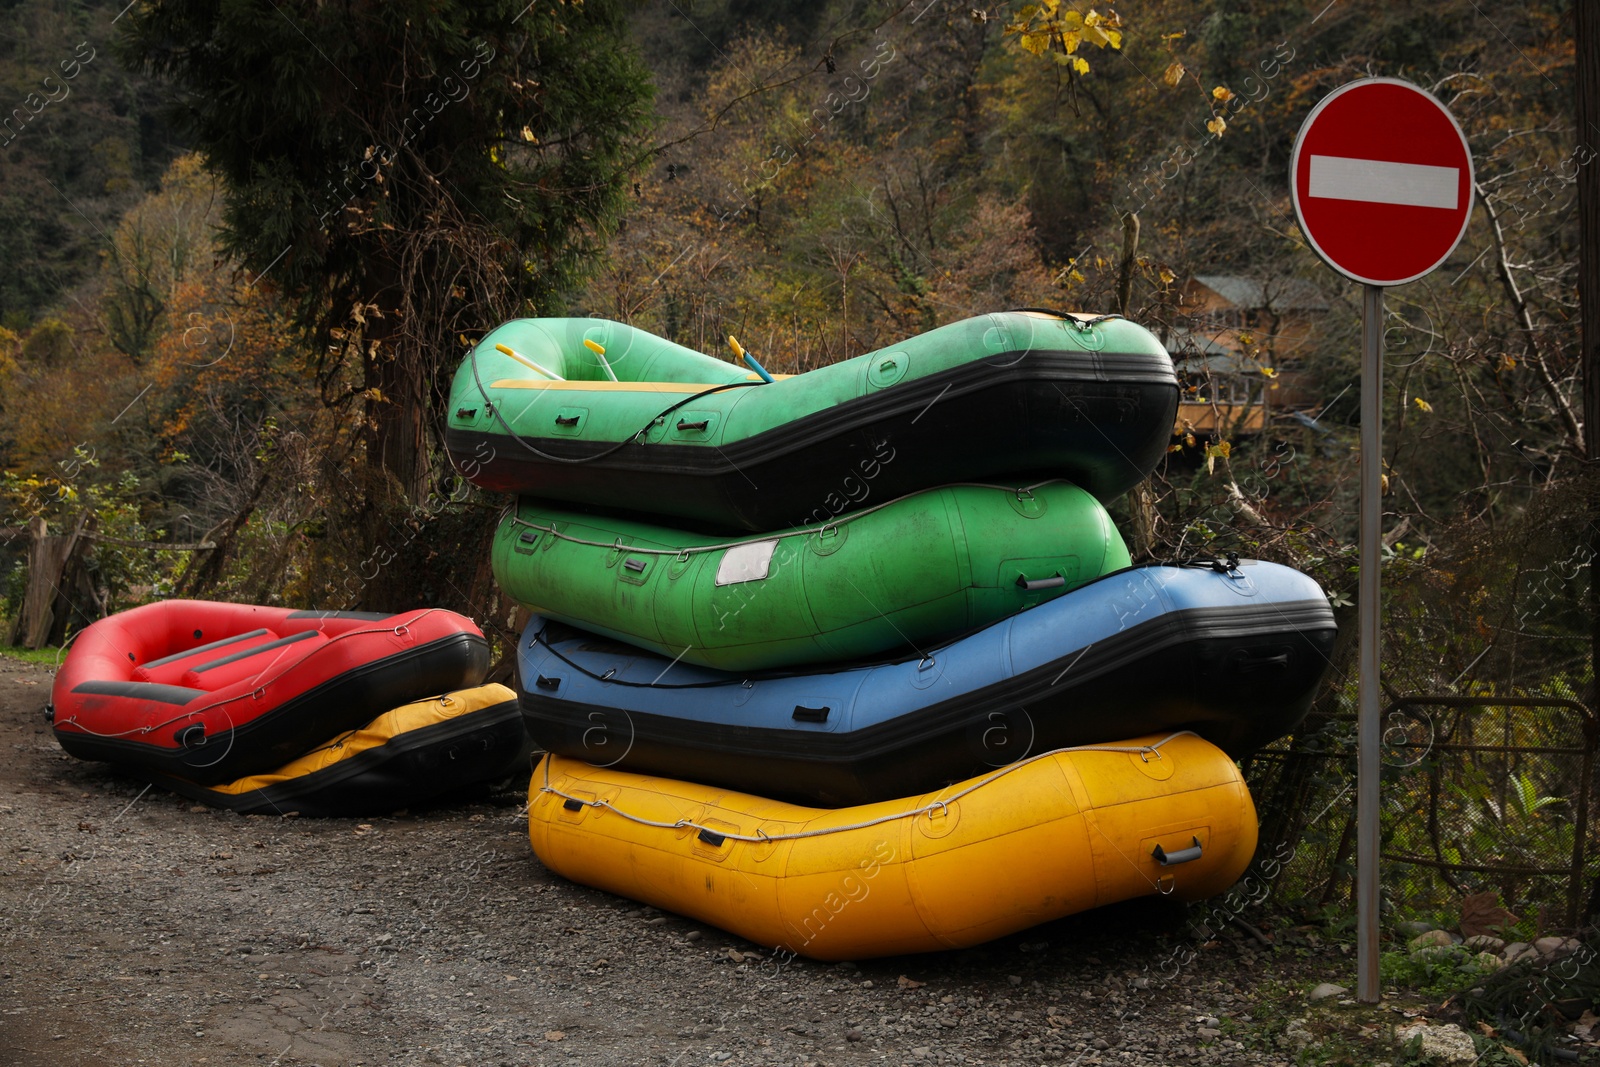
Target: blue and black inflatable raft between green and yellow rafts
(1233, 650)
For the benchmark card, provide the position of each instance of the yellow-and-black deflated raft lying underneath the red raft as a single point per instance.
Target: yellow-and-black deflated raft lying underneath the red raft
(404, 757)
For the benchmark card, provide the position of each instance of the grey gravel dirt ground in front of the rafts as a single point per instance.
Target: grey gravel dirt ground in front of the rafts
(142, 929)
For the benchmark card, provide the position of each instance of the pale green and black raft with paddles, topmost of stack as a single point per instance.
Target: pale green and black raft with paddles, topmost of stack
(593, 412)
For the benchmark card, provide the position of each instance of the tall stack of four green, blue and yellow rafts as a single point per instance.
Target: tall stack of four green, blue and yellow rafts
(855, 663)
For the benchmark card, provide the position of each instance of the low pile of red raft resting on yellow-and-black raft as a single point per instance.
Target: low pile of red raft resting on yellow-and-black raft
(276, 711)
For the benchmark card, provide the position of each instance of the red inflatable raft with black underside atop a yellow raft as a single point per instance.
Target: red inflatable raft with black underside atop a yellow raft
(215, 692)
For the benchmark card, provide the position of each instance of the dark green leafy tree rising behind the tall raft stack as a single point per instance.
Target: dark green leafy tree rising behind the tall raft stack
(404, 172)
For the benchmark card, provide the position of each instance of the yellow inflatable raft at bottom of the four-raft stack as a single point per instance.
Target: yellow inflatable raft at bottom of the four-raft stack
(1052, 836)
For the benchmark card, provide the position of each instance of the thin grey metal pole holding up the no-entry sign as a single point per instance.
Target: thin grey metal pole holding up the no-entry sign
(1367, 767)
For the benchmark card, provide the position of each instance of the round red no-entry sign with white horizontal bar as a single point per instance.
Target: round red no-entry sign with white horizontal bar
(1382, 180)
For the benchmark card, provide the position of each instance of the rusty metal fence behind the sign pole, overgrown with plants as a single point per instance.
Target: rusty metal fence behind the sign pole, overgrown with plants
(1479, 794)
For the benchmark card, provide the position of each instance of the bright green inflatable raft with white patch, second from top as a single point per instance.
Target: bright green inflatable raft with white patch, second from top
(895, 577)
